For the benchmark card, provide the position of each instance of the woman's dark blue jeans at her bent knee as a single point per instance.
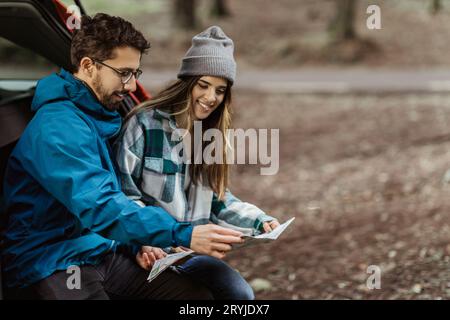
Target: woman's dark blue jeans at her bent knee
(224, 282)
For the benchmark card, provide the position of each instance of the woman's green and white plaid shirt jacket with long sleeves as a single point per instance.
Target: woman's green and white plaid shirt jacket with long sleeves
(152, 173)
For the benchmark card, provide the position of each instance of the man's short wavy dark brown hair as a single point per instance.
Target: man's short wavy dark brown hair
(100, 35)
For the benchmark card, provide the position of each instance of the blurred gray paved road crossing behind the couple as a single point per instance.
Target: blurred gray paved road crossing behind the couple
(328, 81)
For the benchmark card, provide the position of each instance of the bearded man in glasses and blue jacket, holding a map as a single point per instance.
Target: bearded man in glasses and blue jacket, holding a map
(63, 198)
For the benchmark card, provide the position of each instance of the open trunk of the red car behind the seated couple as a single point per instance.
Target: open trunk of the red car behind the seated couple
(39, 26)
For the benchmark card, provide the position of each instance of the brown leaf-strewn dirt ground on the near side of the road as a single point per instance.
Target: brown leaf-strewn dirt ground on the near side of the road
(366, 178)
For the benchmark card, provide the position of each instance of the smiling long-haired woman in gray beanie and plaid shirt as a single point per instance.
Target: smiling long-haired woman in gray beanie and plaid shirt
(154, 170)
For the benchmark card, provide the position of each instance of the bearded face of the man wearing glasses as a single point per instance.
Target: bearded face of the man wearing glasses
(107, 83)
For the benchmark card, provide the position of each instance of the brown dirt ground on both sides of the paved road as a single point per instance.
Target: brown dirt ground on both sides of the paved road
(366, 176)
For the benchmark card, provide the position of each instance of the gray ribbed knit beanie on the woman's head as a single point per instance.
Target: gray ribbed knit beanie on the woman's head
(211, 54)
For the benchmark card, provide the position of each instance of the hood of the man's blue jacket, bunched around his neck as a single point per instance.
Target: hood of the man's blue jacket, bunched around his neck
(64, 86)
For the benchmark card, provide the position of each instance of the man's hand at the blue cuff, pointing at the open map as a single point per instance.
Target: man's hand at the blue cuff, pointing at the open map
(214, 240)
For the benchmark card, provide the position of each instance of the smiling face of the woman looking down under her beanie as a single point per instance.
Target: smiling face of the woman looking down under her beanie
(207, 94)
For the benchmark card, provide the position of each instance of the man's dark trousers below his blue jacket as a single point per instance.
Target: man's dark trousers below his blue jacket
(117, 277)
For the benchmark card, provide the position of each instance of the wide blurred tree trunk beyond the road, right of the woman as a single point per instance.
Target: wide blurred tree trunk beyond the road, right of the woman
(342, 27)
